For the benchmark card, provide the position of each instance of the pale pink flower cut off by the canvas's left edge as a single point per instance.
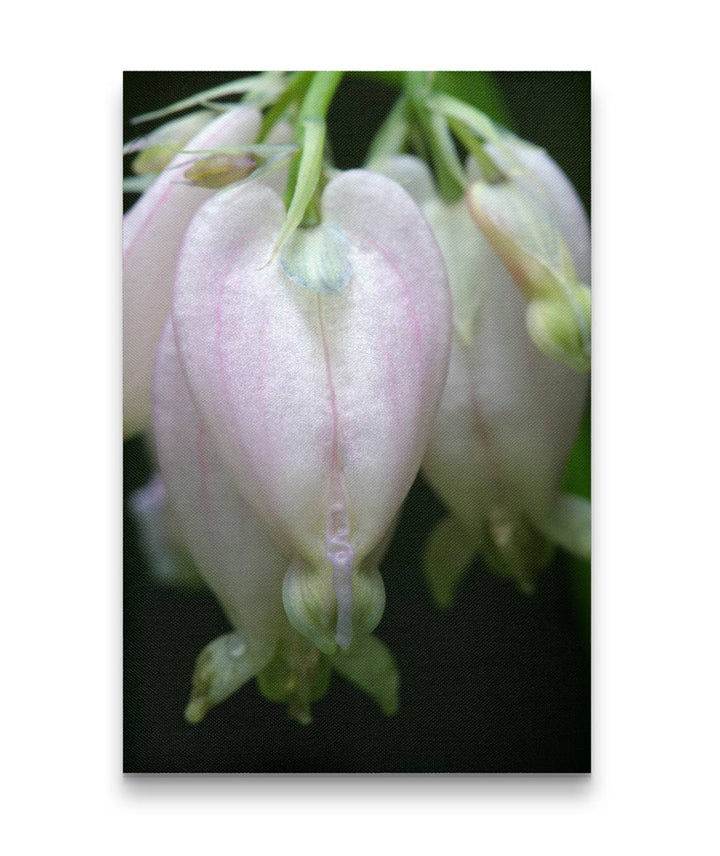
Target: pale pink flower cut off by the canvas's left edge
(152, 234)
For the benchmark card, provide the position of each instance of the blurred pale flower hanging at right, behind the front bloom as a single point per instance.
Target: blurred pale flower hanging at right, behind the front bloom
(509, 412)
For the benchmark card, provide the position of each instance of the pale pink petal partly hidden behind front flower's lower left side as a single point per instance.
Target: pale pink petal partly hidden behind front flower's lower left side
(232, 550)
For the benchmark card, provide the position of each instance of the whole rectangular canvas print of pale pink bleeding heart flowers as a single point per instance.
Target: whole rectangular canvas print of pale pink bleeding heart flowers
(356, 362)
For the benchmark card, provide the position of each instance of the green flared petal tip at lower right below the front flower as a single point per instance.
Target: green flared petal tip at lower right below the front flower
(369, 665)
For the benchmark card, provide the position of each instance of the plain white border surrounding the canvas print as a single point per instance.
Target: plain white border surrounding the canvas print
(655, 458)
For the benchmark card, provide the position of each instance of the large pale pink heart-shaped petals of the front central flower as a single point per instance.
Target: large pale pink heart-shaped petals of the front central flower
(321, 405)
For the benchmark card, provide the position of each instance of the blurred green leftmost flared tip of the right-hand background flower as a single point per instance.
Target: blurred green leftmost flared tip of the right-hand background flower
(449, 553)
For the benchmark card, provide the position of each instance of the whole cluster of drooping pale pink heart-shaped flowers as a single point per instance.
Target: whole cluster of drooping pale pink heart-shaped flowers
(296, 373)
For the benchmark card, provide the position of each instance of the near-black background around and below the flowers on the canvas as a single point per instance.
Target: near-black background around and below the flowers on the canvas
(498, 683)
